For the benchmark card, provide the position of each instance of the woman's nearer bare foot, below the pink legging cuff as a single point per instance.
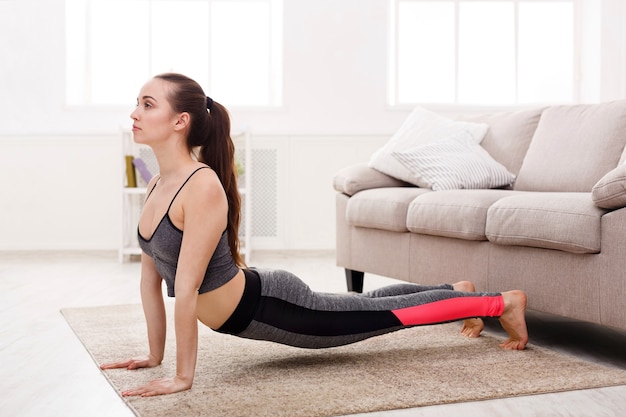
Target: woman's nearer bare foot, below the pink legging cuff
(513, 320)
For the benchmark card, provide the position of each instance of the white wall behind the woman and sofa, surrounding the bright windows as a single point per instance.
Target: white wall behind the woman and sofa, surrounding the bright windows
(60, 167)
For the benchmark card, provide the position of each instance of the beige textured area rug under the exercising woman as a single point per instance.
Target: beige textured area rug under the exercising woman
(410, 368)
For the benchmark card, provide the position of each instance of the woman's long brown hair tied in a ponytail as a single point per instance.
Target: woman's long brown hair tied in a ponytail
(210, 130)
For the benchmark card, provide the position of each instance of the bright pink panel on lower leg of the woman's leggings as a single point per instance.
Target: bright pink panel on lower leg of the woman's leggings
(450, 310)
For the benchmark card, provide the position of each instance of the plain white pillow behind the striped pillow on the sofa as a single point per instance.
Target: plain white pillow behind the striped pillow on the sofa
(420, 128)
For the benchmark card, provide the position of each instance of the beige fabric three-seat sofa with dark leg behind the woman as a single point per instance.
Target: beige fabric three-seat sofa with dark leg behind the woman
(558, 232)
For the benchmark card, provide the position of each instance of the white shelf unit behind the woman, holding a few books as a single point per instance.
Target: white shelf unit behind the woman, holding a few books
(133, 197)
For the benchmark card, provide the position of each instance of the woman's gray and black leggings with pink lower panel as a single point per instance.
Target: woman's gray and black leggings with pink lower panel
(277, 306)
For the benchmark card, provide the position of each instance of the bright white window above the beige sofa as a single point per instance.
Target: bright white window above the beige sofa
(481, 52)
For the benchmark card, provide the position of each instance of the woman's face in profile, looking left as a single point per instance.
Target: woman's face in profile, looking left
(153, 118)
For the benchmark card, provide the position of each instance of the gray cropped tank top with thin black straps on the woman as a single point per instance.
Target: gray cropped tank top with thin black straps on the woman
(164, 248)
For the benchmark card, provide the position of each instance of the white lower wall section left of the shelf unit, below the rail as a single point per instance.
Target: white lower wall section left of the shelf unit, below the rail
(60, 192)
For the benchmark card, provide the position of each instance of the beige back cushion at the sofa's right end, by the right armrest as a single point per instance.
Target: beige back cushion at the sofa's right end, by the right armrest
(573, 147)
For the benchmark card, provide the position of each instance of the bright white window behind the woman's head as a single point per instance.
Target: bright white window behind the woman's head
(232, 48)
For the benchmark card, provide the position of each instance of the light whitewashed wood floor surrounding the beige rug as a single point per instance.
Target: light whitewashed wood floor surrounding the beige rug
(45, 371)
